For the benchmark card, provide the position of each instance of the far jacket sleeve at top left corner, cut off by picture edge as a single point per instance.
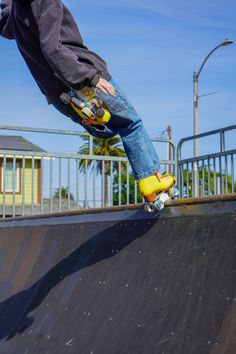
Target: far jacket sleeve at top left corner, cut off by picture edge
(5, 30)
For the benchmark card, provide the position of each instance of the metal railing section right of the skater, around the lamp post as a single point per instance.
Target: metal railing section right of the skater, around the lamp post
(215, 171)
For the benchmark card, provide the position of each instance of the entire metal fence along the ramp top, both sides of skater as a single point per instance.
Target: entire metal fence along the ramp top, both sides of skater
(47, 182)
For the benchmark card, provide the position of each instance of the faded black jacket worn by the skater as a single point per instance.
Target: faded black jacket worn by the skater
(51, 44)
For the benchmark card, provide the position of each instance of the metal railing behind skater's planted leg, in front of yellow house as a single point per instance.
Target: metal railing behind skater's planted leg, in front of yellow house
(44, 182)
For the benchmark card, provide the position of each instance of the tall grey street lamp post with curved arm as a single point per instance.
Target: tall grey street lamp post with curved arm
(196, 75)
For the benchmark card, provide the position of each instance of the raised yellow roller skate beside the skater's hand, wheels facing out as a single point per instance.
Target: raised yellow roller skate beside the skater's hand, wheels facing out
(87, 105)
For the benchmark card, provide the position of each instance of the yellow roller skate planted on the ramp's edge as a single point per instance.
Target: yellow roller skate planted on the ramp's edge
(157, 190)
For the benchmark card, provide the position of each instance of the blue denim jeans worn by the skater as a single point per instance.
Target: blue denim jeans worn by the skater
(126, 122)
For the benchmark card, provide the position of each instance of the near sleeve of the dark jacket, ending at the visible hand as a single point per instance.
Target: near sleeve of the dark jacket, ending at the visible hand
(62, 60)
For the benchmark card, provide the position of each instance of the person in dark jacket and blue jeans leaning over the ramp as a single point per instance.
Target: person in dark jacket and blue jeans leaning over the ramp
(50, 42)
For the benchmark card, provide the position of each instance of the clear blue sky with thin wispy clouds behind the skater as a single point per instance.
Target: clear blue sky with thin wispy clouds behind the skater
(152, 48)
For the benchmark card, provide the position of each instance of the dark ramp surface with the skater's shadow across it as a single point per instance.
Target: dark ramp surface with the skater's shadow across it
(121, 282)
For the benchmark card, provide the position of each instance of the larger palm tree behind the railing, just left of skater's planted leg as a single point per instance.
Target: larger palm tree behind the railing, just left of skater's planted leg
(102, 147)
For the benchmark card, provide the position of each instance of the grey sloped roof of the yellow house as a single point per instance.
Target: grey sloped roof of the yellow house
(18, 143)
